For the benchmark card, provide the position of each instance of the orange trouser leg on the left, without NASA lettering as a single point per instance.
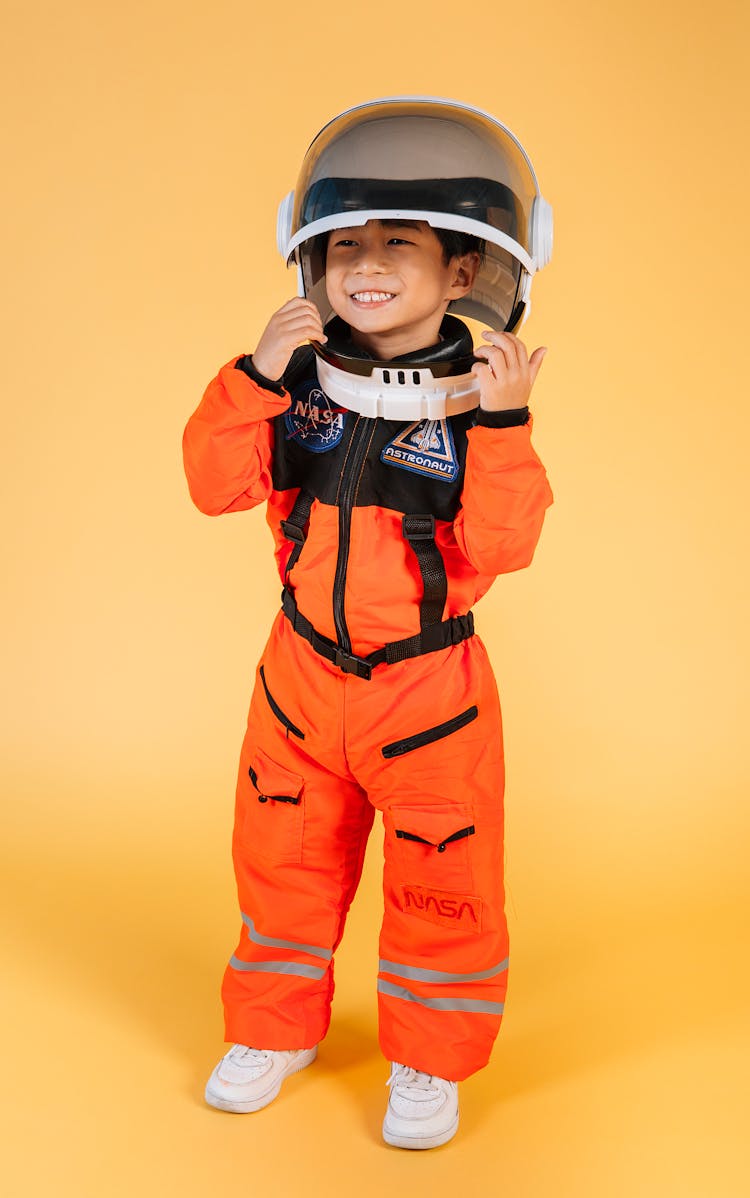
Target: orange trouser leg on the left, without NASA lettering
(301, 830)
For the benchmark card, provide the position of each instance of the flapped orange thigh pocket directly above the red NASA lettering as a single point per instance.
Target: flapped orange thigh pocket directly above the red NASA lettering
(432, 844)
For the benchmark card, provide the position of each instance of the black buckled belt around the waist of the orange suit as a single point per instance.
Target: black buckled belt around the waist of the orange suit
(430, 640)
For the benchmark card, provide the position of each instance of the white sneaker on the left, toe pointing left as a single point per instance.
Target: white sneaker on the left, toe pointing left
(250, 1079)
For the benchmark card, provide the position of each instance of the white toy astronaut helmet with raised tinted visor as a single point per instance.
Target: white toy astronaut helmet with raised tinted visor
(419, 159)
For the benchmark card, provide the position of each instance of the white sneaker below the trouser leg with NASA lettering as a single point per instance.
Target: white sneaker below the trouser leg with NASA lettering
(424, 1111)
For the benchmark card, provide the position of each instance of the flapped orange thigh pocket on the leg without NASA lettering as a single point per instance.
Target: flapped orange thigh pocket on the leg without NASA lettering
(273, 816)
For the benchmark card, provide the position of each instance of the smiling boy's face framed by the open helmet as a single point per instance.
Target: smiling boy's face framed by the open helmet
(391, 285)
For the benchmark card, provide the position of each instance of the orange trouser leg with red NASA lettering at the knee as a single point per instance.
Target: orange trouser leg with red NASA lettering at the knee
(444, 942)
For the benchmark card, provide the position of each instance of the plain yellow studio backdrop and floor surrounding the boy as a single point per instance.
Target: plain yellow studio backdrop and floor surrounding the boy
(148, 148)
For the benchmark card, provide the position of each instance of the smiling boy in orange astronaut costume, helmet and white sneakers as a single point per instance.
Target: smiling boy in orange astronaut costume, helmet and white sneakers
(394, 504)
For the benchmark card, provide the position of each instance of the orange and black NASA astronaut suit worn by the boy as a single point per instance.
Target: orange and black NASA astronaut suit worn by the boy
(373, 693)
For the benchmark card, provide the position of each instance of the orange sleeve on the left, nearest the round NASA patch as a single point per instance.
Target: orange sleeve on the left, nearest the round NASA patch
(228, 444)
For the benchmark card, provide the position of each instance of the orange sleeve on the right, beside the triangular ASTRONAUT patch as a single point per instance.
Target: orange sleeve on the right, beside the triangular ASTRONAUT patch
(506, 494)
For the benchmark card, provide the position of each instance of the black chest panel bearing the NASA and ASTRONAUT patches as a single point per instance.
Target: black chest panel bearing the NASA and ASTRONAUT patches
(415, 468)
